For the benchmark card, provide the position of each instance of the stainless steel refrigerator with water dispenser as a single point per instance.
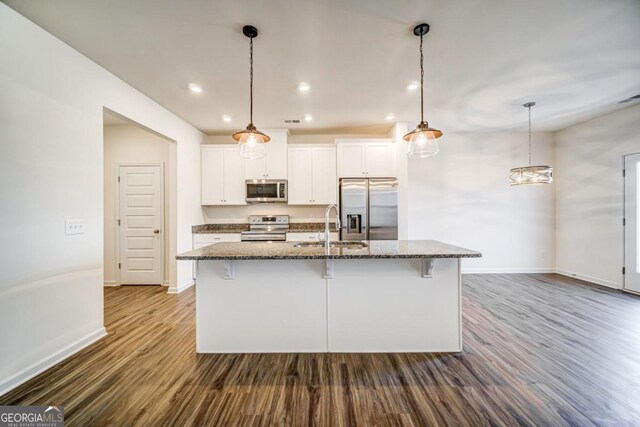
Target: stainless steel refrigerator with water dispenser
(369, 209)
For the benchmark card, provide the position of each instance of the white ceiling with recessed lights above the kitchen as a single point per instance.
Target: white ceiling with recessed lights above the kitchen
(483, 59)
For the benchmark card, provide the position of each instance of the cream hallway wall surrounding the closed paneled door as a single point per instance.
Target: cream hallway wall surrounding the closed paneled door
(126, 145)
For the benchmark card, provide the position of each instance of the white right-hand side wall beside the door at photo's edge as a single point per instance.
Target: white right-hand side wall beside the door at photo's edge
(588, 180)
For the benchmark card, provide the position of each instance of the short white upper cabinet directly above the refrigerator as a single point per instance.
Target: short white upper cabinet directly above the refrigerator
(368, 159)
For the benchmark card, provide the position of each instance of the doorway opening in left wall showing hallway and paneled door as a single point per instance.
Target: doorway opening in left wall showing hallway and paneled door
(139, 203)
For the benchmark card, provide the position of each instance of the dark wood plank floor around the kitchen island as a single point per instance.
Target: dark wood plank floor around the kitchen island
(539, 350)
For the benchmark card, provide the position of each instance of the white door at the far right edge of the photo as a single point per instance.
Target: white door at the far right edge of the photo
(632, 218)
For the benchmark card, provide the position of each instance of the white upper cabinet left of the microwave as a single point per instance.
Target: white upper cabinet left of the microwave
(222, 175)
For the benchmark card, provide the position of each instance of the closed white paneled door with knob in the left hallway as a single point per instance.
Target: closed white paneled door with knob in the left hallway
(141, 233)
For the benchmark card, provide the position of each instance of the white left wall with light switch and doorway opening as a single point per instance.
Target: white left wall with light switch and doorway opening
(51, 154)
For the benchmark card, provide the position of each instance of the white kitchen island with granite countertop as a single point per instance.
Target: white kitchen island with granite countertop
(388, 296)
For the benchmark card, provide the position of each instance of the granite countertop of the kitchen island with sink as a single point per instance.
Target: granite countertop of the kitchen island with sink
(287, 250)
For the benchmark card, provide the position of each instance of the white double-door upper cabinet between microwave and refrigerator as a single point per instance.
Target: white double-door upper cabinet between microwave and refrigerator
(312, 175)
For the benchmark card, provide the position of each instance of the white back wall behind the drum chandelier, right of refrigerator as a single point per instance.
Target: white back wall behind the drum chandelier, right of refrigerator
(462, 196)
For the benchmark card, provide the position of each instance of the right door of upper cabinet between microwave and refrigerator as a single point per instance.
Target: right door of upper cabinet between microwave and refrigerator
(324, 181)
